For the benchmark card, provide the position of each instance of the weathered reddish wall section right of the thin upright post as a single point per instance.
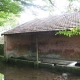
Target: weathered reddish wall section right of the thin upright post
(67, 47)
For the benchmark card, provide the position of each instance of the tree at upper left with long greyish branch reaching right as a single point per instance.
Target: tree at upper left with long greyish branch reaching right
(10, 9)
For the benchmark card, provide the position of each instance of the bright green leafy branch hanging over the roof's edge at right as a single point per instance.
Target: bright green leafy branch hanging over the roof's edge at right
(70, 32)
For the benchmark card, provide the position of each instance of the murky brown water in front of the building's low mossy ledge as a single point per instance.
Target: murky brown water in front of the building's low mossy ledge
(13, 72)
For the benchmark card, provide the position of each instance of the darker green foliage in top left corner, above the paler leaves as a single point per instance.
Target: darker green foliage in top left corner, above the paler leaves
(9, 6)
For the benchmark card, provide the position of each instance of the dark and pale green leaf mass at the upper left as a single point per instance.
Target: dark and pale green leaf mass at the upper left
(9, 8)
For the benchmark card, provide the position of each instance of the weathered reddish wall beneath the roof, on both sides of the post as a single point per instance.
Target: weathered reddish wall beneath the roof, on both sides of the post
(49, 46)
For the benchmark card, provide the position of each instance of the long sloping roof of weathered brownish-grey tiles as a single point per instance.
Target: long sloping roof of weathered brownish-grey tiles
(52, 23)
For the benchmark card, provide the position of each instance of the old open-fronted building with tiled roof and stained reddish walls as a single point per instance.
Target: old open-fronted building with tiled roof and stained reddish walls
(37, 39)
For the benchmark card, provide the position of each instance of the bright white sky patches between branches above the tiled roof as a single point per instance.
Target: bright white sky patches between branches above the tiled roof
(60, 7)
